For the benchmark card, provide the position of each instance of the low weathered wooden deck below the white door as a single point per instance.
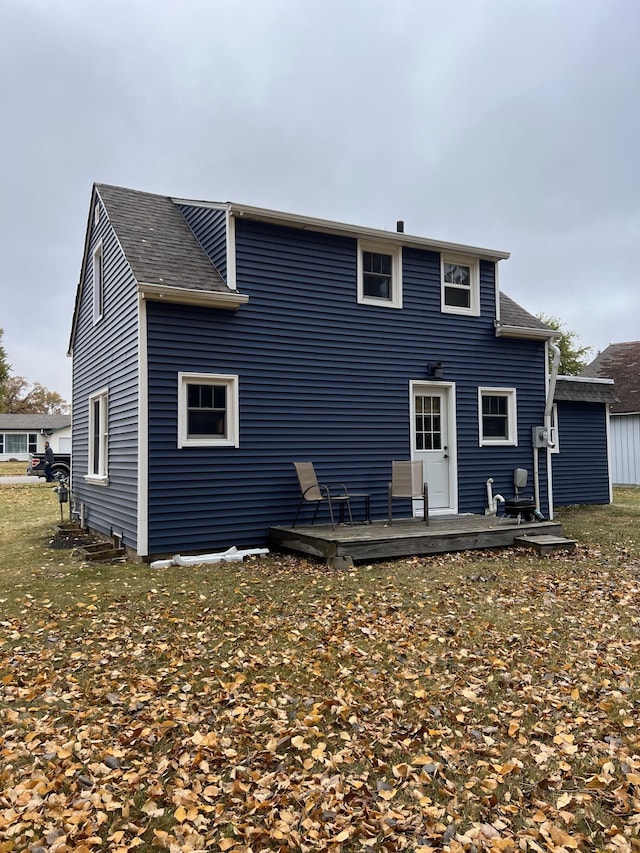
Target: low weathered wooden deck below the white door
(407, 537)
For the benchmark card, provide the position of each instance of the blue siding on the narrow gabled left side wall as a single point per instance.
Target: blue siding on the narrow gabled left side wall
(105, 355)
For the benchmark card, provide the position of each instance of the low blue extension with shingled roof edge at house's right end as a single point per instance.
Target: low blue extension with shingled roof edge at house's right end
(581, 464)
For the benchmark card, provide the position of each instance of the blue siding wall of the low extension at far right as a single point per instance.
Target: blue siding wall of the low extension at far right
(580, 468)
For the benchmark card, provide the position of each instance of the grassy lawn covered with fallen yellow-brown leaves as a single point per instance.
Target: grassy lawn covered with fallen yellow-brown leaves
(478, 701)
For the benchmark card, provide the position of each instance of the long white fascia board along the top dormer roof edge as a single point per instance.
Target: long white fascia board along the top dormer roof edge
(327, 226)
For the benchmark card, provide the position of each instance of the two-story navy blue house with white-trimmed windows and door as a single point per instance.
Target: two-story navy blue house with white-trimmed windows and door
(215, 343)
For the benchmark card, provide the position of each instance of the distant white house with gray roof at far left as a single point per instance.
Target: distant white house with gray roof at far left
(21, 435)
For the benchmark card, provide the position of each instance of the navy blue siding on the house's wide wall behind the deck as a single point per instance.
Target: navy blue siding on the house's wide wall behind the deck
(321, 378)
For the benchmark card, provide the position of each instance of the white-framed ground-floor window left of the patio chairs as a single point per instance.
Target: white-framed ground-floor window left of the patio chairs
(207, 410)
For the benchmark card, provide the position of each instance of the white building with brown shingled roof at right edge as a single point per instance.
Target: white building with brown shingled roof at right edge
(621, 362)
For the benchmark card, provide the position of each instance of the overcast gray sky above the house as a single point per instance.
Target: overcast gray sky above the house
(509, 124)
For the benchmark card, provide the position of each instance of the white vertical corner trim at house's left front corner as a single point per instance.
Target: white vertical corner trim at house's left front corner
(142, 531)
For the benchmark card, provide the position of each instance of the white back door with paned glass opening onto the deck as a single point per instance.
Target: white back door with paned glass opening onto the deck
(433, 436)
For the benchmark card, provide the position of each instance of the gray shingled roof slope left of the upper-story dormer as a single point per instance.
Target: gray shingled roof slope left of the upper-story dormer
(158, 243)
